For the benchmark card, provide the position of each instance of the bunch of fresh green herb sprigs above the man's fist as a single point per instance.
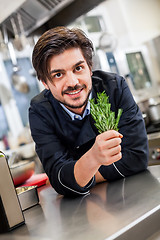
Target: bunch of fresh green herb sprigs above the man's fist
(101, 112)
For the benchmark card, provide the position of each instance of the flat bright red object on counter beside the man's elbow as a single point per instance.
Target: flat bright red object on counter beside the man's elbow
(36, 180)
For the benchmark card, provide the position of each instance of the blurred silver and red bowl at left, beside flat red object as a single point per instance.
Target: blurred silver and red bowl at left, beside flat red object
(21, 171)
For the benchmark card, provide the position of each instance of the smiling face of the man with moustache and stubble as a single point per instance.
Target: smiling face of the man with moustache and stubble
(71, 79)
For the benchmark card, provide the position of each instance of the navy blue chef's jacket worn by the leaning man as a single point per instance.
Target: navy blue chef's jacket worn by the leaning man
(60, 142)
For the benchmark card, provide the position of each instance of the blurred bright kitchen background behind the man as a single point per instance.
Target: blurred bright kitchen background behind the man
(126, 37)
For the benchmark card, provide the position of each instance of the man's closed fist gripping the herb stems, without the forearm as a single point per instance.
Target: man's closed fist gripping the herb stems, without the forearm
(107, 148)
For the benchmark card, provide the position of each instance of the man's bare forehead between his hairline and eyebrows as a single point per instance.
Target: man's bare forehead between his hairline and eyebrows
(66, 59)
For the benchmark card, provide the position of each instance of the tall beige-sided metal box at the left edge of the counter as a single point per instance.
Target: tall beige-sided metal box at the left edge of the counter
(10, 208)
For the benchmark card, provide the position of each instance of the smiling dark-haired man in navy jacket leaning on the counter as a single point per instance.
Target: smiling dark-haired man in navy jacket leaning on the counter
(73, 154)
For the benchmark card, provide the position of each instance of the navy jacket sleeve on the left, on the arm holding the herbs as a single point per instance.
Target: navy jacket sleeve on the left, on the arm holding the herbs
(55, 158)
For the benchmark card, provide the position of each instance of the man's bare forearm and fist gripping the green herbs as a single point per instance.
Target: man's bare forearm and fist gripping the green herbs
(105, 151)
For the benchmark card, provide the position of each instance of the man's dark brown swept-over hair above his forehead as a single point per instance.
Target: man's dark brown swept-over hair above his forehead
(56, 41)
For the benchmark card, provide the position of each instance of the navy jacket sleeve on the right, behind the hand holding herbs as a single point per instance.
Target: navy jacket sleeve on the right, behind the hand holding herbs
(134, 142)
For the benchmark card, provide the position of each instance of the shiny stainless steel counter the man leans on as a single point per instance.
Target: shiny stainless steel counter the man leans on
(124, 209)
